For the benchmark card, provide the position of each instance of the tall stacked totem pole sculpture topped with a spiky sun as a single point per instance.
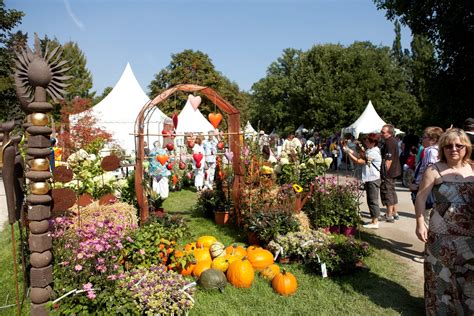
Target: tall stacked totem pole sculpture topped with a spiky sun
(38, 75)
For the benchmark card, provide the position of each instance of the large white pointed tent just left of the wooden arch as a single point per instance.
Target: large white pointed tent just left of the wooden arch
(119, 109)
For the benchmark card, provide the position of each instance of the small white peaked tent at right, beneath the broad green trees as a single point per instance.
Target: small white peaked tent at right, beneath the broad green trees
(368, 122)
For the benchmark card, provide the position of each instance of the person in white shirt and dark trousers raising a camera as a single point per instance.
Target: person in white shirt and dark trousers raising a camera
(370, 175)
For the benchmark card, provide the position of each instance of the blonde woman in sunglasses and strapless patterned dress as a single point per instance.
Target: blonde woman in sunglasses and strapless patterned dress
(449, 249)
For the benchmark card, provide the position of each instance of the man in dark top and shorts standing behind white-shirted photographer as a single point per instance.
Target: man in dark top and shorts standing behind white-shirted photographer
(390, 170)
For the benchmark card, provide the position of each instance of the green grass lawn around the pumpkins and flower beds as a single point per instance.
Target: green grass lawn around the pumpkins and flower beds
(384, 290)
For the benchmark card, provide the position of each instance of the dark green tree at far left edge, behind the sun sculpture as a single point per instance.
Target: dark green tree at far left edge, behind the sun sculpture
(9, 43)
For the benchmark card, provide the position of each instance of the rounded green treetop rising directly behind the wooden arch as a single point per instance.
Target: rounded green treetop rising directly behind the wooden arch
(195, 67)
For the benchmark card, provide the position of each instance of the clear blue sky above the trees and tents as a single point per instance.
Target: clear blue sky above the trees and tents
(242, 38)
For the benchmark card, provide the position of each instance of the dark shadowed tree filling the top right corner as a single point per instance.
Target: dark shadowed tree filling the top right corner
(449, 26)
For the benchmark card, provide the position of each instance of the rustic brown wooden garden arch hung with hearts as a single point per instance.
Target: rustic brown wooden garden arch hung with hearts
(234, 139)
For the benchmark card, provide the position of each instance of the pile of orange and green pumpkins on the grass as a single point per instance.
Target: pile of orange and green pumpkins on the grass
(216, 264)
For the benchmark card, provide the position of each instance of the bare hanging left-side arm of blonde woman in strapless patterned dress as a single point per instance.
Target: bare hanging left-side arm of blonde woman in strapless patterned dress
(426, 185)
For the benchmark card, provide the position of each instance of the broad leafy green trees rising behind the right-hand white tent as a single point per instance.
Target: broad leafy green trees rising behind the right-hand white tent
(328, 87)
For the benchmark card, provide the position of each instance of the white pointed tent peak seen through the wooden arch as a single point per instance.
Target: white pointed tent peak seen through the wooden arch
(192, 121)
